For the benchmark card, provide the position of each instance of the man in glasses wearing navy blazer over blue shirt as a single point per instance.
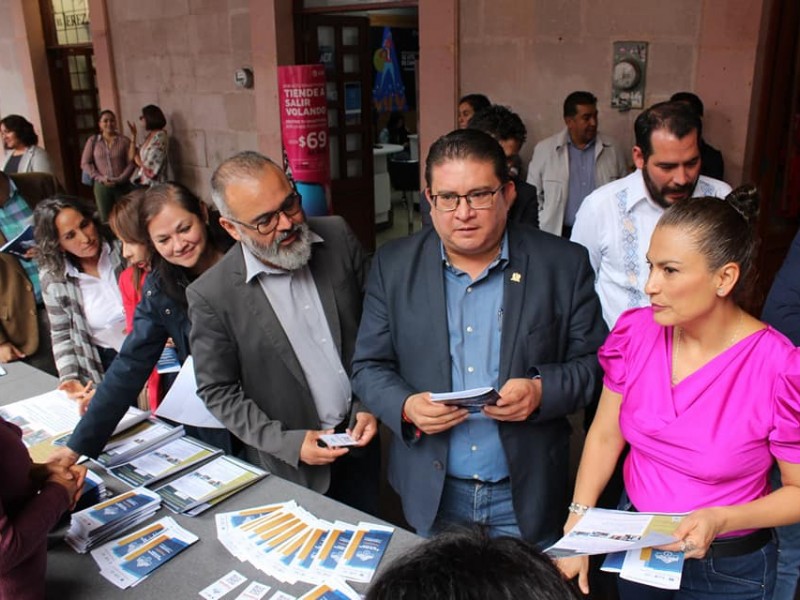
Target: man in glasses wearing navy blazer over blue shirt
(473, 302)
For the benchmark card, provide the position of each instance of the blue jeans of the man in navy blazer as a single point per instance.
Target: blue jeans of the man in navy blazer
(468, 503)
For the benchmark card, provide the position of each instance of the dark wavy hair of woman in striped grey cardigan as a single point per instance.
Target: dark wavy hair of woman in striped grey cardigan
(52, 258)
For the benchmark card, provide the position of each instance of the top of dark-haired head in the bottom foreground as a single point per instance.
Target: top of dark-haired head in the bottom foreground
(470, 565)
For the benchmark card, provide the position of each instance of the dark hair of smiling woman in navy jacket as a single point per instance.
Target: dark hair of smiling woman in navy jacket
(175, 279)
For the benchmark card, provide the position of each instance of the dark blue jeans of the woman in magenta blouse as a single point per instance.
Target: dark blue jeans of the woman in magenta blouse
(747, 577)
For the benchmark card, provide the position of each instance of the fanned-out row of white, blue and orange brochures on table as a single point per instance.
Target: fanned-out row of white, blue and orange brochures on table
(290, 544)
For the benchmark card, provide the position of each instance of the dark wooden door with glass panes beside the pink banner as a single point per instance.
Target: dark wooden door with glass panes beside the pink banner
(341, 44)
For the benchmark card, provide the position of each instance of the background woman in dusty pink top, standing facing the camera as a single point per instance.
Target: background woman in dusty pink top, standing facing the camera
(105, 159)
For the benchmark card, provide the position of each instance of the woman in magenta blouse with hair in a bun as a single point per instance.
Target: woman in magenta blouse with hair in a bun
(707, 397)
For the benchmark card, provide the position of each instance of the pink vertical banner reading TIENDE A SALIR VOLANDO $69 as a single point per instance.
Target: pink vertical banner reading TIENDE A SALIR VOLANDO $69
(304, 128)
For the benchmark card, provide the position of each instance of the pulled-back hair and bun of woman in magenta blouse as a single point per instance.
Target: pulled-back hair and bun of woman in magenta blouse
(724, 230)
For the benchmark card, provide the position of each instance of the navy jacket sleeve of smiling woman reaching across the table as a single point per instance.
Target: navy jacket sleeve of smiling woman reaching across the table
(156, 319)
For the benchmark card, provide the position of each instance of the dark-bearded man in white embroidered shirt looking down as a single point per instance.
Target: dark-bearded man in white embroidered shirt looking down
(616, 221)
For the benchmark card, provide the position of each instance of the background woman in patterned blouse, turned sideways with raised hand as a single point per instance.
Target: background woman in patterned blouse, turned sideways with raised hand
(151, 156)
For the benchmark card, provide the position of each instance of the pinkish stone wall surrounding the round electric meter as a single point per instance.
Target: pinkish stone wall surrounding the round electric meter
(530, 55)
